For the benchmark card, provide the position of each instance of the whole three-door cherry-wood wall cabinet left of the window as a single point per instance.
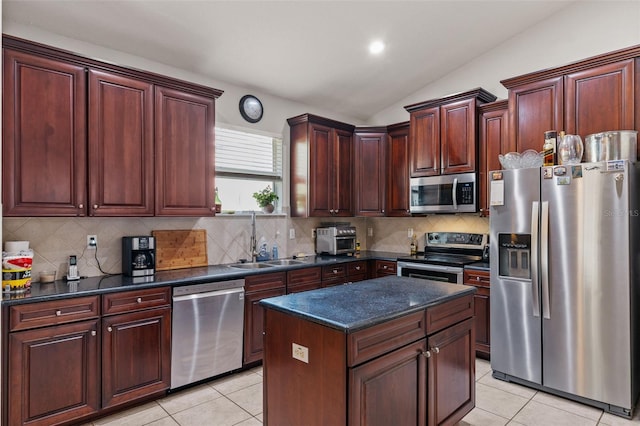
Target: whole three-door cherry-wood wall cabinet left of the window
(92, 131)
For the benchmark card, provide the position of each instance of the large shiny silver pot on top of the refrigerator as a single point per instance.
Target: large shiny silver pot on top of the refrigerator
(612, 145)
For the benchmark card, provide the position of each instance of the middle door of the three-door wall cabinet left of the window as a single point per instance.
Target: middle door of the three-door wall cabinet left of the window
(121, 172)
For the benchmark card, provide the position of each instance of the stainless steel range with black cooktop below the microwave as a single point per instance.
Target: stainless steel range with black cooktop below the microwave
(445, 255)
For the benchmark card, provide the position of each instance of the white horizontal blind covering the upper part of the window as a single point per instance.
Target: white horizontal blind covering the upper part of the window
(248, 154)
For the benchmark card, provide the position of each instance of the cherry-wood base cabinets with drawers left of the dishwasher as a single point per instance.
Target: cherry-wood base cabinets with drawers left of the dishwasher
(66, 364)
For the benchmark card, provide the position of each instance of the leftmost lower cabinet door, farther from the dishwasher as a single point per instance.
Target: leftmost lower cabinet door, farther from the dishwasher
(53, 374)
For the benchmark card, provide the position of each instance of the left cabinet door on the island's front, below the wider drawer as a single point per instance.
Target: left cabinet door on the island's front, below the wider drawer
(391, 389)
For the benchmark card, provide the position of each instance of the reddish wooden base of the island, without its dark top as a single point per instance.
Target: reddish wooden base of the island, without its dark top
(418, 369)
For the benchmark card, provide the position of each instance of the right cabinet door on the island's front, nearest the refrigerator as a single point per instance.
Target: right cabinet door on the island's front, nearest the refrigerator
(451, 377)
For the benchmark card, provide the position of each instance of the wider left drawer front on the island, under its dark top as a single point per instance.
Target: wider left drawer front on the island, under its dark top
(380, 339)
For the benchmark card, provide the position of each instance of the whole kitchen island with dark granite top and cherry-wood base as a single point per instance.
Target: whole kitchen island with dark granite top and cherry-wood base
(391, 350)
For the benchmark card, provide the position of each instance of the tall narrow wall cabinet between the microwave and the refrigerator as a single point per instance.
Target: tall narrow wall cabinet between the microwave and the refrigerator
(494, 140)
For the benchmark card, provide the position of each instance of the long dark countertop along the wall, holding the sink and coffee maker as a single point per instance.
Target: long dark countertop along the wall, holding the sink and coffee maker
(113, 283)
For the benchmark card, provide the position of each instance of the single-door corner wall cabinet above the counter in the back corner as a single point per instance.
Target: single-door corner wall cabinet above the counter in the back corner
(370, 170)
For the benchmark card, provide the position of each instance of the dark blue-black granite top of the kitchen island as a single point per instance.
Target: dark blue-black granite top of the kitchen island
(352, 307)
